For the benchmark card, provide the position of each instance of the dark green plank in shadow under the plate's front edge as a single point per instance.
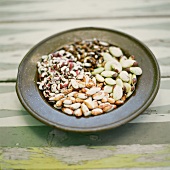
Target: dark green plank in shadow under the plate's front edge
(128, 134)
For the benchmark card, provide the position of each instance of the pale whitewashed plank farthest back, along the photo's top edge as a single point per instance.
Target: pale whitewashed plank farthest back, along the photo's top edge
(42, 10)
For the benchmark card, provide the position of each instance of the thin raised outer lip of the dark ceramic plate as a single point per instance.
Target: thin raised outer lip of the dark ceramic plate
(100, 128)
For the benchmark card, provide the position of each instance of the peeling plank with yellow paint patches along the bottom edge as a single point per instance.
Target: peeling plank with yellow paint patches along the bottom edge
(84, 157)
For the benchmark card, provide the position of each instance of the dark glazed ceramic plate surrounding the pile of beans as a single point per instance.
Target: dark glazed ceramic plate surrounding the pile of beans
(146, 89)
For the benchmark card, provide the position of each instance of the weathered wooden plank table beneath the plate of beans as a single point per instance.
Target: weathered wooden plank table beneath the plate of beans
(26, 143)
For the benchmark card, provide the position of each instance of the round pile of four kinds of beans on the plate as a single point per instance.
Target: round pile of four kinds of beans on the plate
(87, 78)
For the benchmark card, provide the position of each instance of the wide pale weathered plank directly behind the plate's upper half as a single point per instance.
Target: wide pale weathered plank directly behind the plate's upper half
(13, 47)
